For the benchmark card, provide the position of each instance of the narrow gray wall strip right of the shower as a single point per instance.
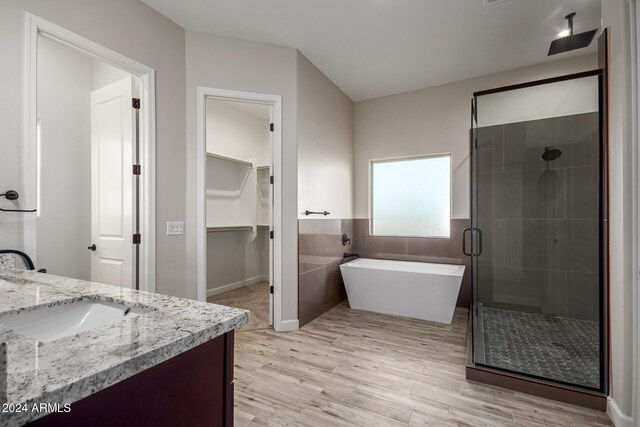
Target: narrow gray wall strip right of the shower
(622, 187)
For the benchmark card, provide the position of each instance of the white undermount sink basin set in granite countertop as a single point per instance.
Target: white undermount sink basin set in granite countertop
(50, 323)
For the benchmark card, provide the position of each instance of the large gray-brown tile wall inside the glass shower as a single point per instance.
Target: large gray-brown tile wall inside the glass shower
(539, 219)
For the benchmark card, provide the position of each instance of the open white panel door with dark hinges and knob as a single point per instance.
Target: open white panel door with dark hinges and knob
(113, 138)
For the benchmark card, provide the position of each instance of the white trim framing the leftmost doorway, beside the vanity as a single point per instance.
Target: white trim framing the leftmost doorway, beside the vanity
(147, 139)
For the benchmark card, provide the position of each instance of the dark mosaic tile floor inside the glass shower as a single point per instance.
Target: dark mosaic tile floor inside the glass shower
(558, 348)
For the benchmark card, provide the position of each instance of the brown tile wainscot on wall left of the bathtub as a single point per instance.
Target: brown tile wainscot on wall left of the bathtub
(320, 250)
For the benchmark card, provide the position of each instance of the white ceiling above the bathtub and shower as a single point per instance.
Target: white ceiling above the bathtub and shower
(372, 48)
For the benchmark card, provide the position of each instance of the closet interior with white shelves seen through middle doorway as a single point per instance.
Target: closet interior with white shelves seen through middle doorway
(239, 175)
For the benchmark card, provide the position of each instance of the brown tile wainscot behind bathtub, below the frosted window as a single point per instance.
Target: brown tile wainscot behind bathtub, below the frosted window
(421, 249)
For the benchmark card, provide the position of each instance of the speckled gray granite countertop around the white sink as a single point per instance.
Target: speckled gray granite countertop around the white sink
(71, 368)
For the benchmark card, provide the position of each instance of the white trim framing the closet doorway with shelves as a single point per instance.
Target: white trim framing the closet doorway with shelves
(201, 158)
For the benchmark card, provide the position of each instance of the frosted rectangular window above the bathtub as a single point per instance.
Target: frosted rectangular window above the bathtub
(411, 196)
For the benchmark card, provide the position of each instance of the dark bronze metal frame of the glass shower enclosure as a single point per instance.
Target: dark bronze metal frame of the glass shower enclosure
(523, 382)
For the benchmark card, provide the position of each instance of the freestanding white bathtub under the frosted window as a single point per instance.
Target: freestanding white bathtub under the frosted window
(411, 289)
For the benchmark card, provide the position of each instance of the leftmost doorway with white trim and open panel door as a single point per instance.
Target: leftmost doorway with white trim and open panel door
(89, 160)
